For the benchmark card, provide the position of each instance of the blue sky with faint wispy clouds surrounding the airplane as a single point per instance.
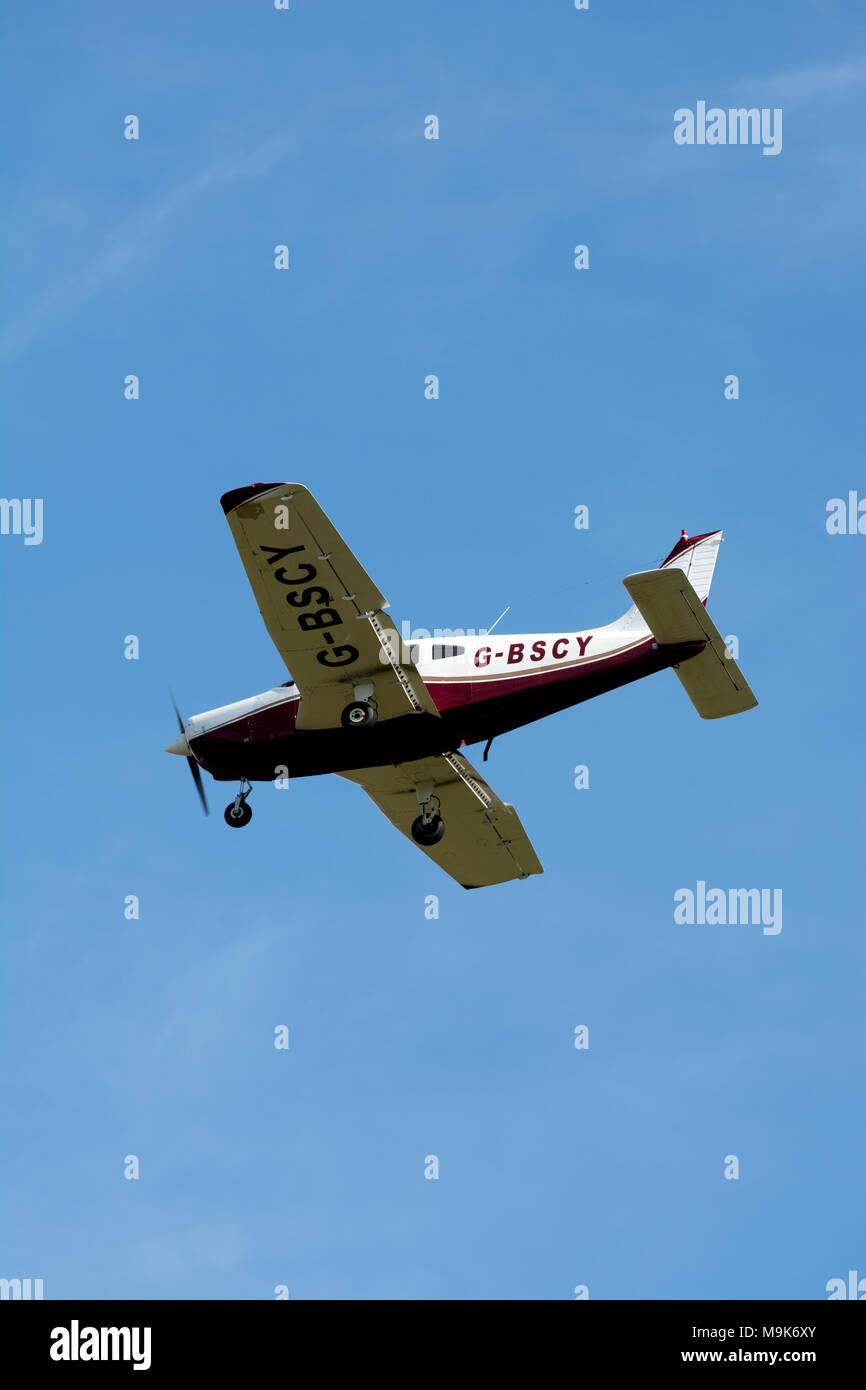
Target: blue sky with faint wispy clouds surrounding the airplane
(604, 387)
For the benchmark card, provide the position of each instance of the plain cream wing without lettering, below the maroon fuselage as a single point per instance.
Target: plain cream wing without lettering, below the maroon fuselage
(484, 842)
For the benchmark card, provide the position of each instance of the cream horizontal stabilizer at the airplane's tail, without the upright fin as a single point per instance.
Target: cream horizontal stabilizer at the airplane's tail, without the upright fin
(673, 612)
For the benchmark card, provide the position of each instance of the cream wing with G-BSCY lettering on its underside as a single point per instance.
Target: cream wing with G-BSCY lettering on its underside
(320, 607)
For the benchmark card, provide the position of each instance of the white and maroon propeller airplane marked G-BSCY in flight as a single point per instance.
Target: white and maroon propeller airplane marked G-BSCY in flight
(394, 717)
